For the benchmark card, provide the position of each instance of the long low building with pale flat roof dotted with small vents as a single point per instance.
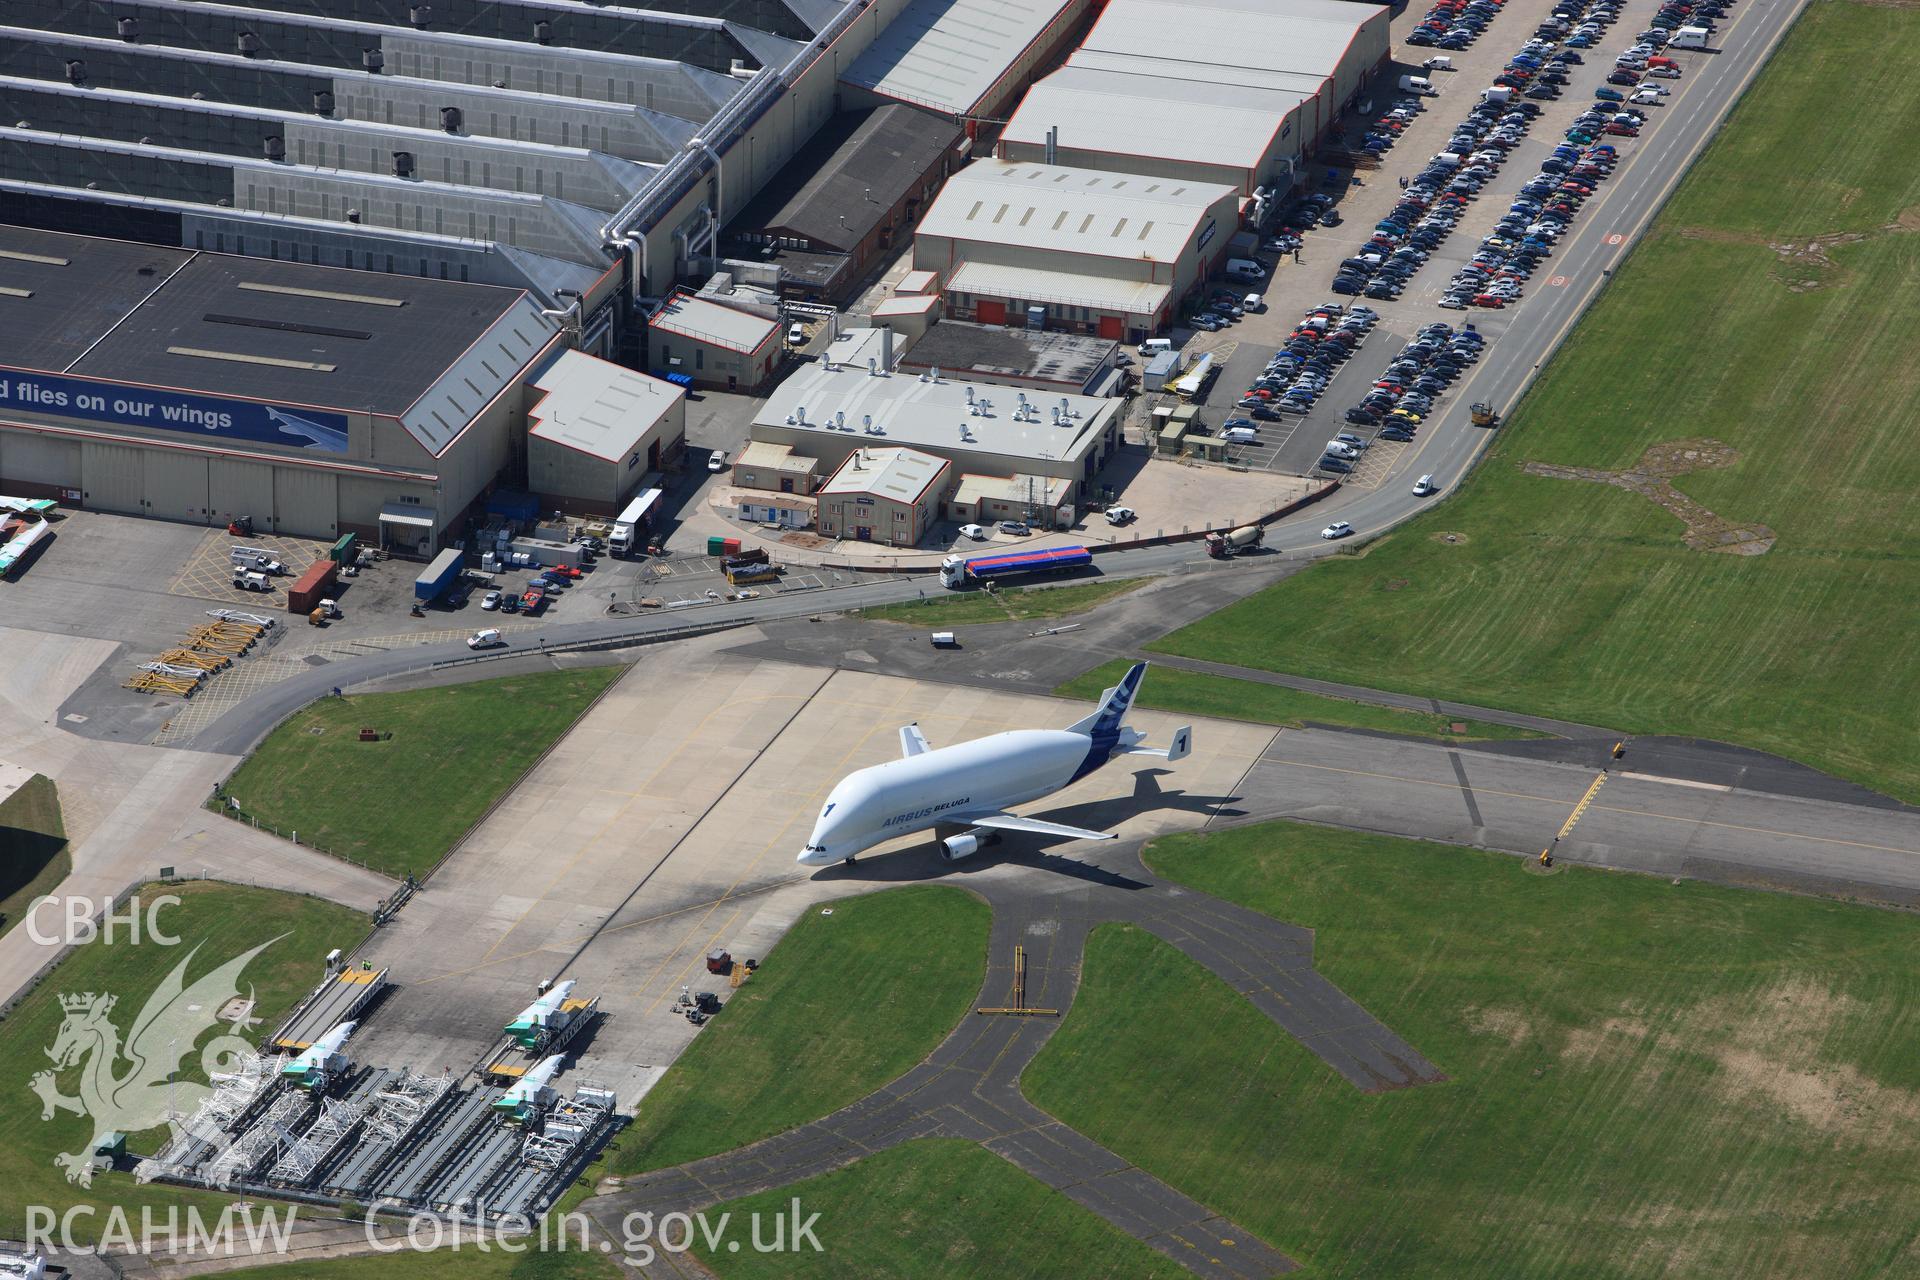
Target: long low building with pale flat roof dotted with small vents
(842, 404)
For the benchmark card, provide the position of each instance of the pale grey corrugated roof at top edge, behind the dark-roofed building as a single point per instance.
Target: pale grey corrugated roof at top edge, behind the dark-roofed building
(946, 55)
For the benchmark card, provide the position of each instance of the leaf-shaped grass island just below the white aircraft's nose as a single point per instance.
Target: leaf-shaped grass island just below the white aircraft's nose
(842, 1007)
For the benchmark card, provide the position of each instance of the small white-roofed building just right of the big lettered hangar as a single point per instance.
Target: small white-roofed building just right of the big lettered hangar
(598, 431)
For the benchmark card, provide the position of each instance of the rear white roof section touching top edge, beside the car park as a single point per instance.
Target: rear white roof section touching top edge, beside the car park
(1289, 36)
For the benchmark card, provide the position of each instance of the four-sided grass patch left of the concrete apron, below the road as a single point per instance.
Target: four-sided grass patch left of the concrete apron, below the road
(460, 746)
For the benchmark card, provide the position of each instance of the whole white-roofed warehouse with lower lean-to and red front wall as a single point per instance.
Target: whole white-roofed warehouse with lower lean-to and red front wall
(1086, 250)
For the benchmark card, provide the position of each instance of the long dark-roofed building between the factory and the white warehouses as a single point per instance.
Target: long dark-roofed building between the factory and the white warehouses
(850, 199)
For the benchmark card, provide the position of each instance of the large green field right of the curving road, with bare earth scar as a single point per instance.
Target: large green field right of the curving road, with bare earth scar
(1579, 600)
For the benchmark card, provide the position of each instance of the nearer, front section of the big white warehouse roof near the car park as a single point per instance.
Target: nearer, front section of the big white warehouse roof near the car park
(1172, 118)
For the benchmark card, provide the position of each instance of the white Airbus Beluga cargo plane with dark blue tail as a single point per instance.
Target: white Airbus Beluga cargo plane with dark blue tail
(976, 784)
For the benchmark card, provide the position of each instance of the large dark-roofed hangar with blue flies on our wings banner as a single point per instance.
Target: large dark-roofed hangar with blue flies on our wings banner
(201, 387)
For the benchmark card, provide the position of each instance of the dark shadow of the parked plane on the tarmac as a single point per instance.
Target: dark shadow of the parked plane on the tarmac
(924, 863)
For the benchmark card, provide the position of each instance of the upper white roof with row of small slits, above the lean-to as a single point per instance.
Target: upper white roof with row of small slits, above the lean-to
(1072, 210)
